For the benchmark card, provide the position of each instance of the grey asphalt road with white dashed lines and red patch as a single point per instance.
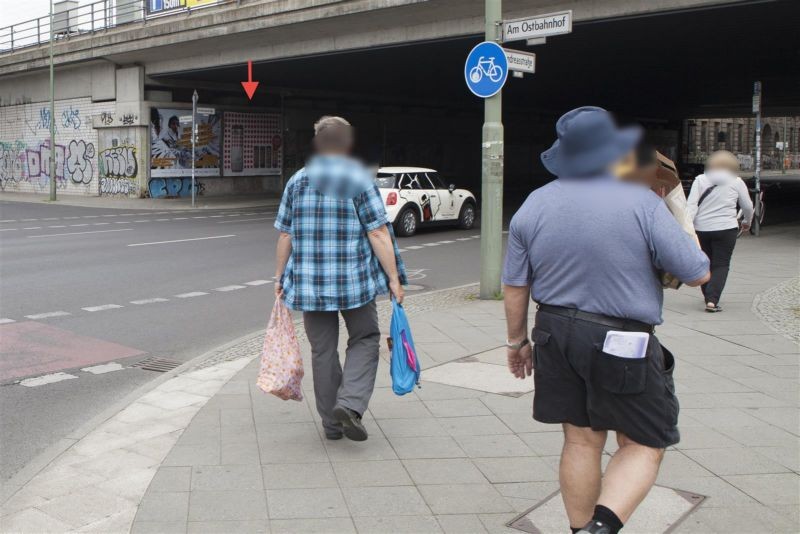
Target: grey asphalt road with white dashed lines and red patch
(102, 289)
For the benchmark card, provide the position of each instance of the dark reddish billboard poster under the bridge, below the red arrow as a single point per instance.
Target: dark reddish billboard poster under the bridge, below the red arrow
(252, 144)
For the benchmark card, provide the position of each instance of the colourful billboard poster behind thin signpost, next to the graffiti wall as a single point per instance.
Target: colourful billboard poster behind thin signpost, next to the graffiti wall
(171, 143)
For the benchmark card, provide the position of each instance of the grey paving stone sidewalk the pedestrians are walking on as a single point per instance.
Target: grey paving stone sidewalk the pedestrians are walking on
(462, 454)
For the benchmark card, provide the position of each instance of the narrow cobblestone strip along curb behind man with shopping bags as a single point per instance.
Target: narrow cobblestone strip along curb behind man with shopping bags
(414, 304)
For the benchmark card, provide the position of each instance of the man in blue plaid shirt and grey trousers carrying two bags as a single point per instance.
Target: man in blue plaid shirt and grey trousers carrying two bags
(335, 254)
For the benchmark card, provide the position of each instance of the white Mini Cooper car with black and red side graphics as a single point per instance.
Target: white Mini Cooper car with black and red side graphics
(416, 196)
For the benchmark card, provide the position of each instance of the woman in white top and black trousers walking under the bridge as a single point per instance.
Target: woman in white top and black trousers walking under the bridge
(712, 205)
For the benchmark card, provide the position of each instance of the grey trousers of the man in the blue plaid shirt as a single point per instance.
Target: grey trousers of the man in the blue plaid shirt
(353, 387)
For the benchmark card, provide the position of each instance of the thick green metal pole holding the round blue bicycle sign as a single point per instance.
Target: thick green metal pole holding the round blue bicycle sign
(492, 174)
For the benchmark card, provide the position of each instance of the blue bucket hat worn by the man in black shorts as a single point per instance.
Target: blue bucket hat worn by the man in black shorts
(588, 142)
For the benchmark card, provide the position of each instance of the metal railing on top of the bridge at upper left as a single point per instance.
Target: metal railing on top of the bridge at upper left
(88, 18)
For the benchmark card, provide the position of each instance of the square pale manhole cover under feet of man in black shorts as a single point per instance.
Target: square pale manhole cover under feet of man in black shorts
(662, 511)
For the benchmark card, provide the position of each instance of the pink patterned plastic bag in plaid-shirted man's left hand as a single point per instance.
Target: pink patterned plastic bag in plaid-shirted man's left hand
(281, 364)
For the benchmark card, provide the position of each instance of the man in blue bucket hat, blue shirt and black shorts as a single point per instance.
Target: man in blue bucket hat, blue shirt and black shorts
(588, 248)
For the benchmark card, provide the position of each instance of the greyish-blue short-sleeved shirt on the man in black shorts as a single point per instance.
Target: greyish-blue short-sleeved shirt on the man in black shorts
(597, 244)
